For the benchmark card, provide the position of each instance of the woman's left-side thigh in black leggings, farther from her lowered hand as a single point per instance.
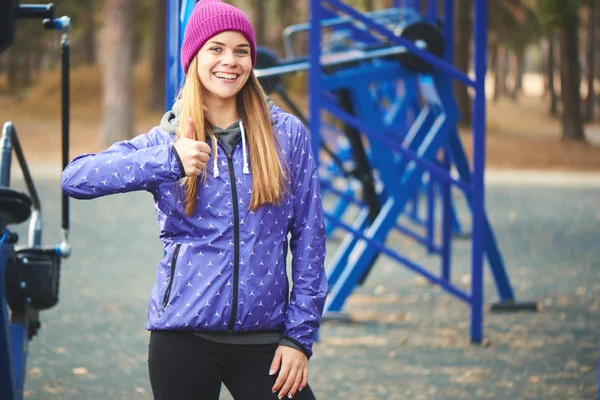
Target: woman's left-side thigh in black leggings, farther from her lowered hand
(183, 366)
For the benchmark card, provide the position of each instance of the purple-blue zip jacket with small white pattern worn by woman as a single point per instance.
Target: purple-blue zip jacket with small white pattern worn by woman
(224, 268)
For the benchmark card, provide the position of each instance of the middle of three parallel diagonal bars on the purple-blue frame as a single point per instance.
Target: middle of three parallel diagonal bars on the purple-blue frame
(434, 169)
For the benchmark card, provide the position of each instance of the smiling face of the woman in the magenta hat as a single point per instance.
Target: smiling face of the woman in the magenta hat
(224, 64)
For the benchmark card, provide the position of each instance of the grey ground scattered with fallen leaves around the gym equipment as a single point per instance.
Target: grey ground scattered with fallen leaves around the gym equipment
(408, 339)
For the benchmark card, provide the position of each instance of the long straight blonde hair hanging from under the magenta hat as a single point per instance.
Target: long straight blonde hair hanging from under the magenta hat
(268, 176)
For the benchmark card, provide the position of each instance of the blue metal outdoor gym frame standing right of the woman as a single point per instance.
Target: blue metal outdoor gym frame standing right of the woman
(401, 160)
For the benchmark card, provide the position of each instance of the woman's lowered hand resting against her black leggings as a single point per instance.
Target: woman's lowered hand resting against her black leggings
(292, 365)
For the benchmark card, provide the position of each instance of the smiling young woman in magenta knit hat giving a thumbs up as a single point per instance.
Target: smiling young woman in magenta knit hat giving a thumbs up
(235, 186)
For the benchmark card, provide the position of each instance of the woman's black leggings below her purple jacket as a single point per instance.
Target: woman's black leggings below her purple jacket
(185, 366)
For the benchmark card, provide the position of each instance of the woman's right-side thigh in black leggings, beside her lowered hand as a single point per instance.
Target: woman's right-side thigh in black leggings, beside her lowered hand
(247, 374)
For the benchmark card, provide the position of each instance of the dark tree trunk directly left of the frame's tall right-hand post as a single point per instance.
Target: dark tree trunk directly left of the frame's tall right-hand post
(462, 57)
